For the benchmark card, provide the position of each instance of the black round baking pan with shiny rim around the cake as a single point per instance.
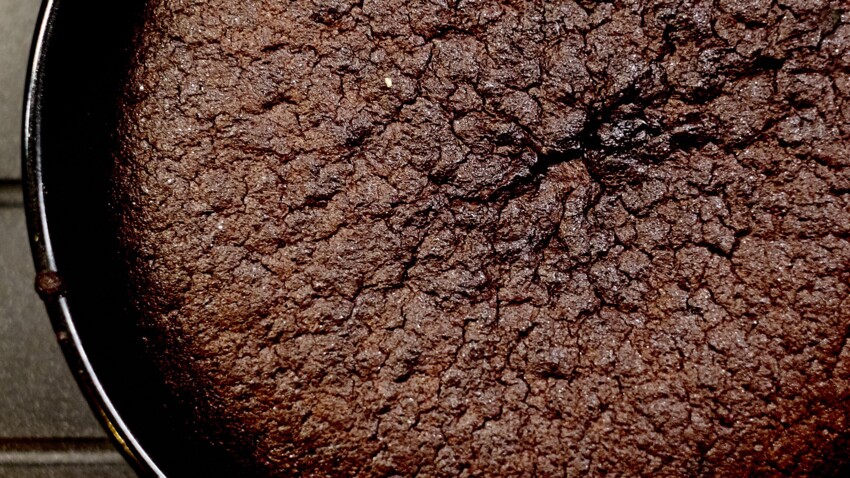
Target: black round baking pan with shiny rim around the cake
(78, 62)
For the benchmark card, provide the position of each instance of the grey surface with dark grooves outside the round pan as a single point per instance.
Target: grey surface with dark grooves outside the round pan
(46, 428)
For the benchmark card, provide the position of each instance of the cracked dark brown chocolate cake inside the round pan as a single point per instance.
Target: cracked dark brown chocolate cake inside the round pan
(508, 238)
